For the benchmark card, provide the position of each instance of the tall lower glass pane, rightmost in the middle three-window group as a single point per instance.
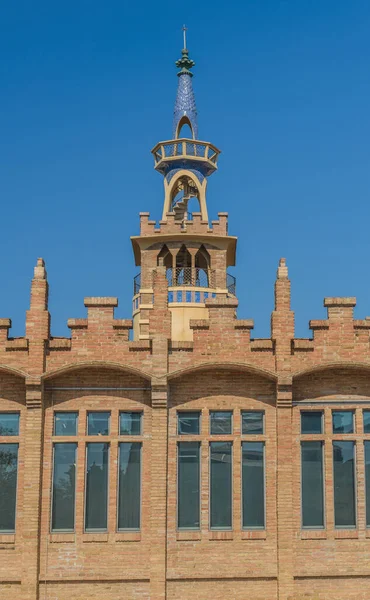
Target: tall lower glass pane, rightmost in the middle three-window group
(253, 484)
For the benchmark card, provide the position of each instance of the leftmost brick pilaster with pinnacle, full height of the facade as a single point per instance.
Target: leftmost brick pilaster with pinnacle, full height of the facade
(37, 332)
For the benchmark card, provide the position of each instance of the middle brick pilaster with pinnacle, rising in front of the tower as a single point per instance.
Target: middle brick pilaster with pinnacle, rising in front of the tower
(160, 332)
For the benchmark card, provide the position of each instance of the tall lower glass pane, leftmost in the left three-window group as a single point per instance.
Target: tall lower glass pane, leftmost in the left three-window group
(64, 487)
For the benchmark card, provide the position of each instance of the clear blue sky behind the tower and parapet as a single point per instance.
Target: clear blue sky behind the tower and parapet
(87, 89)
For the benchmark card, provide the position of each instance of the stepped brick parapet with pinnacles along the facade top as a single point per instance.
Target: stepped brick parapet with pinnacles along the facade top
(216, 334)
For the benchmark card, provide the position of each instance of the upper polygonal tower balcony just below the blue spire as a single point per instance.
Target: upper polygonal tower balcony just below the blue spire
(172, 154)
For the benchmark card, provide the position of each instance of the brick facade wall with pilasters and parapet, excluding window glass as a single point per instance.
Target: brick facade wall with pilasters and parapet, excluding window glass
(99, 367)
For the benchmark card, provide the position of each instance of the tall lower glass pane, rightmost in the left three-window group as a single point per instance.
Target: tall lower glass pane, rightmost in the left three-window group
(129, 485)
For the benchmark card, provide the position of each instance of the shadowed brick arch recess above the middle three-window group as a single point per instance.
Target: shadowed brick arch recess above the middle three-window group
(223, 385)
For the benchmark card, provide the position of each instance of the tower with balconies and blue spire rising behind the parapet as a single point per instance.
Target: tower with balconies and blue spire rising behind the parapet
(194, 252)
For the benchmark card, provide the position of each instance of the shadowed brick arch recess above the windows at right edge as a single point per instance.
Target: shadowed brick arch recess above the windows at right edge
(334, 380)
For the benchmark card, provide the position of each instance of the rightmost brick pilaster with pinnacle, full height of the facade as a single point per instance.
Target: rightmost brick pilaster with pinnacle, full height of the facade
(282, 325)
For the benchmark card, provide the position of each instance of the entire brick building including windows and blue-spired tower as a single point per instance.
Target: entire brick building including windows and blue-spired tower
(173, 456)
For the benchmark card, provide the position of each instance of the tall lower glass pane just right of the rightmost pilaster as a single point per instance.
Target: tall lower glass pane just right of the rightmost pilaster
(312, 485)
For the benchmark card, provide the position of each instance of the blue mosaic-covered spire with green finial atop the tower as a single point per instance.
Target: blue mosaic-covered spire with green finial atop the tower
(185, 107)
